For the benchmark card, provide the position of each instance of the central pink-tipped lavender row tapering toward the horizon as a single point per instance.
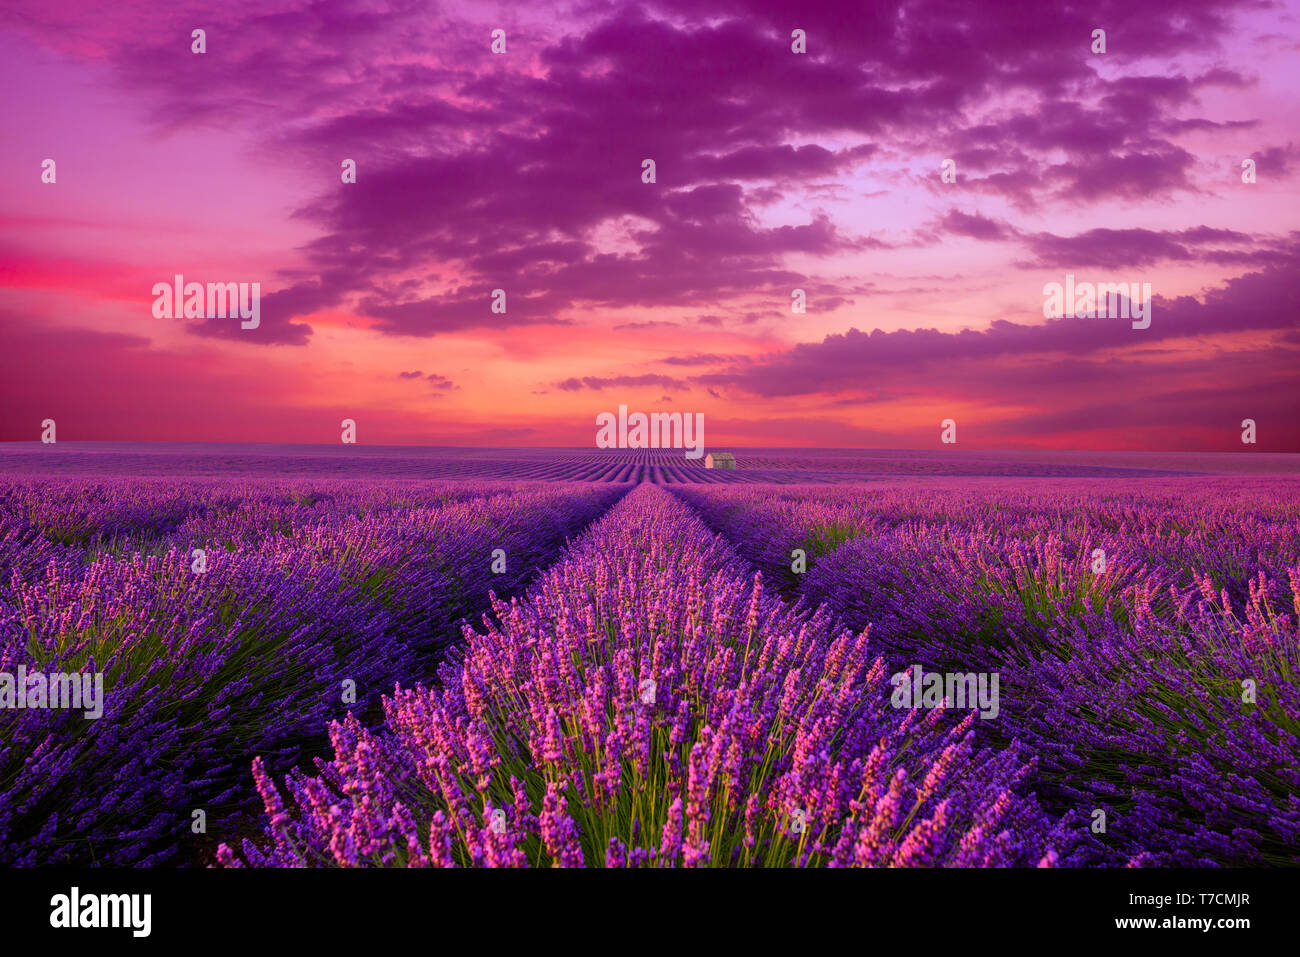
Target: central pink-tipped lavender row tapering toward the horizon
(649, 705)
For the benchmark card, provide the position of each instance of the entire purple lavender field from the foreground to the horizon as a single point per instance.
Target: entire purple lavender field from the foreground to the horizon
(404, 657)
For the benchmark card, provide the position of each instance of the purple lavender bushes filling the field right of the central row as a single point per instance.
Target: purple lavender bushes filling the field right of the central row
(1146, 638)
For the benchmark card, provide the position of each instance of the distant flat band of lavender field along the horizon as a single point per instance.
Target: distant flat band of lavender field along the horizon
(661, 467)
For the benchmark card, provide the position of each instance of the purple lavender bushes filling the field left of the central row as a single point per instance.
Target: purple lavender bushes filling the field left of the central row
(231, 620)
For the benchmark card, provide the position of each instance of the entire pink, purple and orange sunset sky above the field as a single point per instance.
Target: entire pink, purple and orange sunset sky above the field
(775, 171)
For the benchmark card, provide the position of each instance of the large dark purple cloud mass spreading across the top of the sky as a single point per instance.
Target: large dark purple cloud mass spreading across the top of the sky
(505, 176)
